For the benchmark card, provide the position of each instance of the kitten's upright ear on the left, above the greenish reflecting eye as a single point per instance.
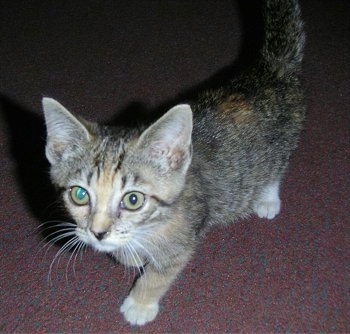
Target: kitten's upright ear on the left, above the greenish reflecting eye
(65, 133)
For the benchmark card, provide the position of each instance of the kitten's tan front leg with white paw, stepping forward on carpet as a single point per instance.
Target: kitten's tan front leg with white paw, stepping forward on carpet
(142, 304)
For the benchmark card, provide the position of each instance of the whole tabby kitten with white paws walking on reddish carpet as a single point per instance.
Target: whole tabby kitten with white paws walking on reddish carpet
(146, 195)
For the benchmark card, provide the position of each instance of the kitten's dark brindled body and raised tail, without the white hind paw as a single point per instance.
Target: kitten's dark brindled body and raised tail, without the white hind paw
(245, 133)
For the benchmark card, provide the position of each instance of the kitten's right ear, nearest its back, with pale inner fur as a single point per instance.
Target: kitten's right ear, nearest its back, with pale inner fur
(169, 139)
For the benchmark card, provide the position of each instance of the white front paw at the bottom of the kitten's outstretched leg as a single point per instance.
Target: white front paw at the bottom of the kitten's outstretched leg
(138, 314)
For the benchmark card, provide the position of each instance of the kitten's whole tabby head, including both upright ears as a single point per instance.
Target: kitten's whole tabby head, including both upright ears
(118, 184)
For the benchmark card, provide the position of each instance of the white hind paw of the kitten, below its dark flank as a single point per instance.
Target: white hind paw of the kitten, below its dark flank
(268, 204)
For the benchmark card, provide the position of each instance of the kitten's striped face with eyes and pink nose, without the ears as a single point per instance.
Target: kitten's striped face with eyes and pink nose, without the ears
(115, 207)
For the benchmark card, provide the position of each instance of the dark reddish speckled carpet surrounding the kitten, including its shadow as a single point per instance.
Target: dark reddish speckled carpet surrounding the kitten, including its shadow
(100, 58)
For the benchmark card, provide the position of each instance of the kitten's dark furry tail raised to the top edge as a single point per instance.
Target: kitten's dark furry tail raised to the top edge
(282, 51)
